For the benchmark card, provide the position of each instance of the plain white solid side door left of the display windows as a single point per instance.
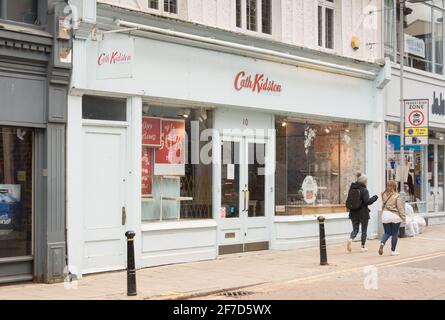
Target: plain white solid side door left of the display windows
(104, 212)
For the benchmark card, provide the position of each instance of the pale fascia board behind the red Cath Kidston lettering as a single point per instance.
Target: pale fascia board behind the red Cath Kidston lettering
(208, 77)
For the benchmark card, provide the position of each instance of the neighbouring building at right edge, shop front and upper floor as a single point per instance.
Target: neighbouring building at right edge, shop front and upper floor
(423, 79)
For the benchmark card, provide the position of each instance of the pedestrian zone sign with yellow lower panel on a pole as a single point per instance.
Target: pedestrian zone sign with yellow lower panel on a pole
(416, 122)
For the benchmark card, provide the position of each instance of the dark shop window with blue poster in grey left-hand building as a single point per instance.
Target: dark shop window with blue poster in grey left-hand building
(16, 192)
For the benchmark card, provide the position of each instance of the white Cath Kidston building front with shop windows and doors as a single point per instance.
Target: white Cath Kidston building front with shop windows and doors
(213, 127)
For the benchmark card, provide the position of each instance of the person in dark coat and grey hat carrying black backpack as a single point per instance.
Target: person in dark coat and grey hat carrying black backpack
(357, 203)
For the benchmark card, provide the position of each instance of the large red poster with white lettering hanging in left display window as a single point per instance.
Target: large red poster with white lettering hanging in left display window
(170, 156)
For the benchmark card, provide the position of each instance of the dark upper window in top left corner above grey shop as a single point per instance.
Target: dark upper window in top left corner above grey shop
(24, 11)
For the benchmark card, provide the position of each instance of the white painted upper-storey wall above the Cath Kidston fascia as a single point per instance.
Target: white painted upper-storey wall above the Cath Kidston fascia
(294, 22)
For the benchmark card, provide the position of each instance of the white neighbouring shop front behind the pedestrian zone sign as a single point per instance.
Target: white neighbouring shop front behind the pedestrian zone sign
(423, 179)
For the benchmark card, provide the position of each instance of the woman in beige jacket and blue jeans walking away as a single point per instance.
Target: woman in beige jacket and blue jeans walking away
(393, 214)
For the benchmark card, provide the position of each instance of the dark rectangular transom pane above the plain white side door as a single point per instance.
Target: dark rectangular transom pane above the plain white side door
(101, 108)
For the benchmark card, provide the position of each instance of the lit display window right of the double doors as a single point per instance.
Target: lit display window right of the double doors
(316, 164)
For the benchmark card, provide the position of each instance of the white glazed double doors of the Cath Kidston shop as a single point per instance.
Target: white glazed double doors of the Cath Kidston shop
(245, 180)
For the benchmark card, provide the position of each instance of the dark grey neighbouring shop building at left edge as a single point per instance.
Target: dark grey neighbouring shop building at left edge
(34, 77)
